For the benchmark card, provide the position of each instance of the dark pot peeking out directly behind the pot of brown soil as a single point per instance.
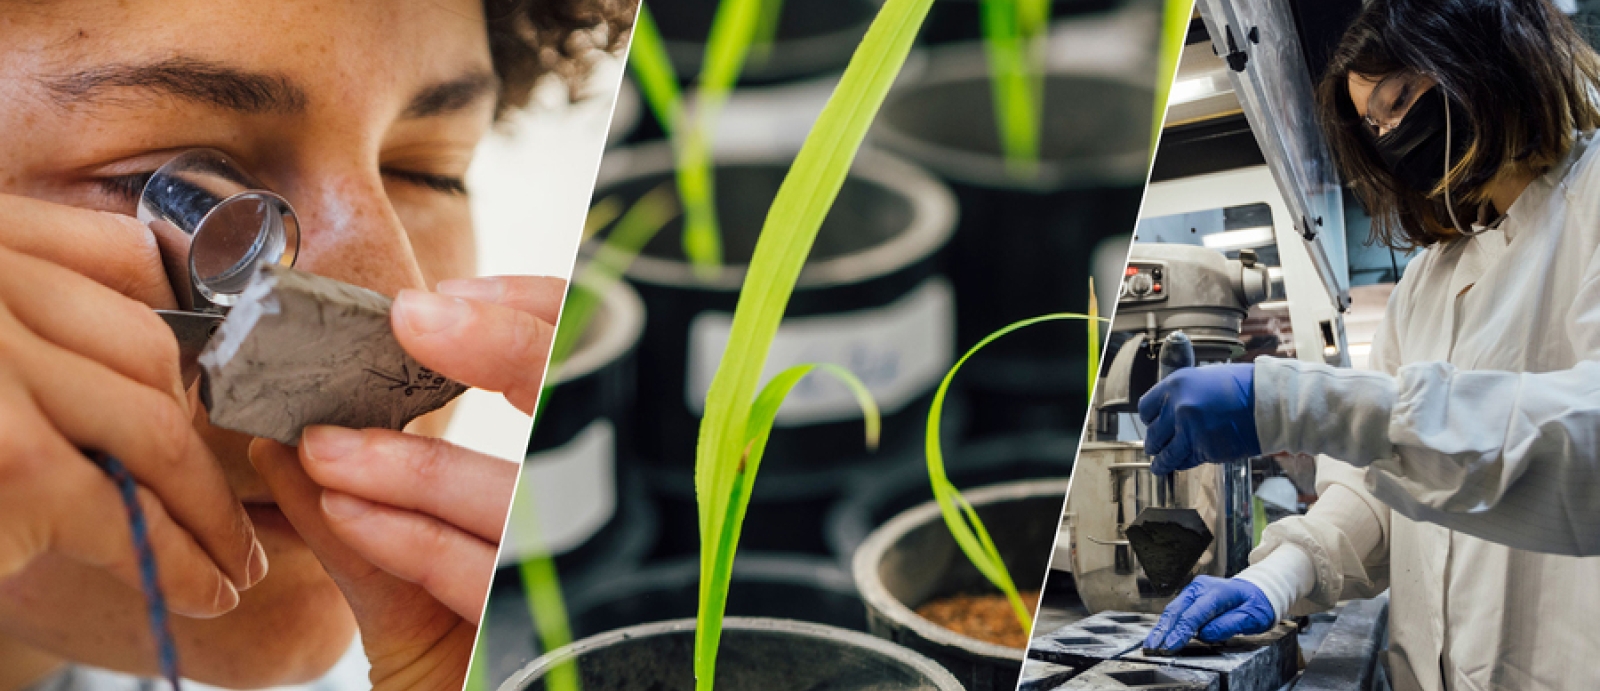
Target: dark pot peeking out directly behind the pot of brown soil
(876, 498)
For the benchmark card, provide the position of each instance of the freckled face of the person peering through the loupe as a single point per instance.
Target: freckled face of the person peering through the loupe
(362, 114)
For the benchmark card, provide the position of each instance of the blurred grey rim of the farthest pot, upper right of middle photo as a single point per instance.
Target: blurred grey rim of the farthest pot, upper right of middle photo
(961, 63)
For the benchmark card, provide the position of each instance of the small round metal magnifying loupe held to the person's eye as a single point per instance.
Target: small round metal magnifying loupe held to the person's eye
(215, 225)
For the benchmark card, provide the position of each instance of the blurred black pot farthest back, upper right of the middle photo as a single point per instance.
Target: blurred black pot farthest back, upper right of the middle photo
(1025, 246)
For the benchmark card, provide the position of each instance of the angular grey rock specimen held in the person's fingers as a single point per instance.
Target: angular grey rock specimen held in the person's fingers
(300, 349)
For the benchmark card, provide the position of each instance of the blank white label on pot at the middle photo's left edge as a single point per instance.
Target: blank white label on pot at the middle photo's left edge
(566, 495)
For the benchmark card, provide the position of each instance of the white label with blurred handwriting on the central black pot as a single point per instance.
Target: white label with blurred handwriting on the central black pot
(898, 351)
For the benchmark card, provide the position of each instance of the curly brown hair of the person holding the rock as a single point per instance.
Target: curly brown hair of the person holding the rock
(532, 39)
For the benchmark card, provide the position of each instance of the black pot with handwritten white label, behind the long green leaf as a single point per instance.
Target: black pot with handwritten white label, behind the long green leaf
(871, 297)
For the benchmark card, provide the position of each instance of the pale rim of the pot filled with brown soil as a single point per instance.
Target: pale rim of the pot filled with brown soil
(865, 565)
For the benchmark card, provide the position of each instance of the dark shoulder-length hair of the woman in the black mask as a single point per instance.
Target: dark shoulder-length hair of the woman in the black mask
(1516, 68)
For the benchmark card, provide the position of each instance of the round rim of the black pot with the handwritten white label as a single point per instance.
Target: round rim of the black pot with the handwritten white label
(932, 218)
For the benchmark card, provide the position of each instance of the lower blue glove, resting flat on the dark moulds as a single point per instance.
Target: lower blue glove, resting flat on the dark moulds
(1217, 609)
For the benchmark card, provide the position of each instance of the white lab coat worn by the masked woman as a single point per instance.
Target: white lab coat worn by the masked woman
(1471, 476)
